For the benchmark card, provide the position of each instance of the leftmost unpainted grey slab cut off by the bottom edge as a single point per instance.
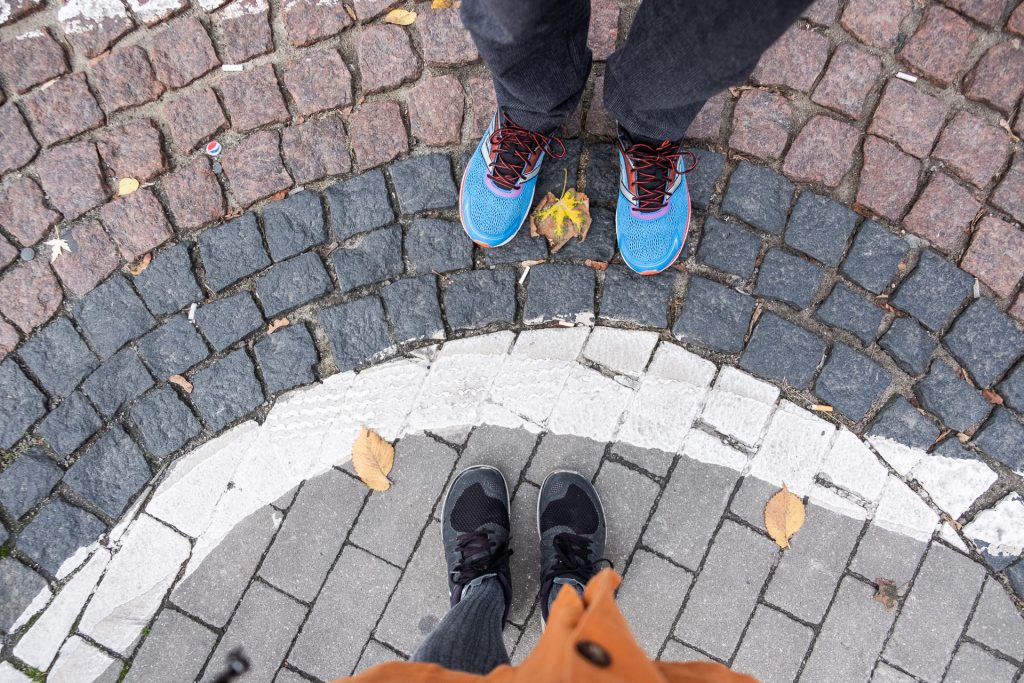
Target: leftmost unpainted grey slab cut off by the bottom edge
(174, 653)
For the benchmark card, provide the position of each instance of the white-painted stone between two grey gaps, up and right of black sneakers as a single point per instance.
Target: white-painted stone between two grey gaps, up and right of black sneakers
(661, 414)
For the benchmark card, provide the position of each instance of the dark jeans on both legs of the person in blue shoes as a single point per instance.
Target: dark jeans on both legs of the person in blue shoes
(677, 56)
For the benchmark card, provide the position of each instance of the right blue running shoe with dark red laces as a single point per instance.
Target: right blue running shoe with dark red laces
(654, 210)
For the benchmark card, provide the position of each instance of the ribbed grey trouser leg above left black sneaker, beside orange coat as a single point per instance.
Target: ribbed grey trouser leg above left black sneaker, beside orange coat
(470, 638)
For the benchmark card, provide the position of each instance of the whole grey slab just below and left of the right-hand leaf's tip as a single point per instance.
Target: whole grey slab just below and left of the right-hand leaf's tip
(727, 591)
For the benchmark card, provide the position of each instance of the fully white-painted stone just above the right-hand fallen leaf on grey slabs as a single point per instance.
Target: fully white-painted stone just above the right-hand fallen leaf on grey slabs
(793, 449)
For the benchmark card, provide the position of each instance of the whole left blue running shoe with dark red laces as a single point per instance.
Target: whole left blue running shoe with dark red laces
(500, 180)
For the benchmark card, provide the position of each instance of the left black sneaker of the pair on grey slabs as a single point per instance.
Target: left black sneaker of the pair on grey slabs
(476, 533)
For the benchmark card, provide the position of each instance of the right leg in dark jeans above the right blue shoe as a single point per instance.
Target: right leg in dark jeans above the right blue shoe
(681, 53)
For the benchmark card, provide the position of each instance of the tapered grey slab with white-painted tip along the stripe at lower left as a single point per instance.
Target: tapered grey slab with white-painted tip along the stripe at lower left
(214, 590)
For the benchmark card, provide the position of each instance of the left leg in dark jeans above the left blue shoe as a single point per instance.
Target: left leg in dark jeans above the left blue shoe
(538, 56)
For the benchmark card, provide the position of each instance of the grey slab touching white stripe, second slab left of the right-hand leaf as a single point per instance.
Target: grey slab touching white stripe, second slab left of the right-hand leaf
(690, 511)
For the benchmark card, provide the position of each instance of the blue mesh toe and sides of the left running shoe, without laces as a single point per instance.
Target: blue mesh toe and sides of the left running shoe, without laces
(487, 218)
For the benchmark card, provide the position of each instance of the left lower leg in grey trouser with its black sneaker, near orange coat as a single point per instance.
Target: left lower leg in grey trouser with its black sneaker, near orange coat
(476, 532)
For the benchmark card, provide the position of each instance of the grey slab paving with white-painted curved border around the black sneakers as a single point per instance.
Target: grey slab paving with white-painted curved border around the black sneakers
(265, 538)
